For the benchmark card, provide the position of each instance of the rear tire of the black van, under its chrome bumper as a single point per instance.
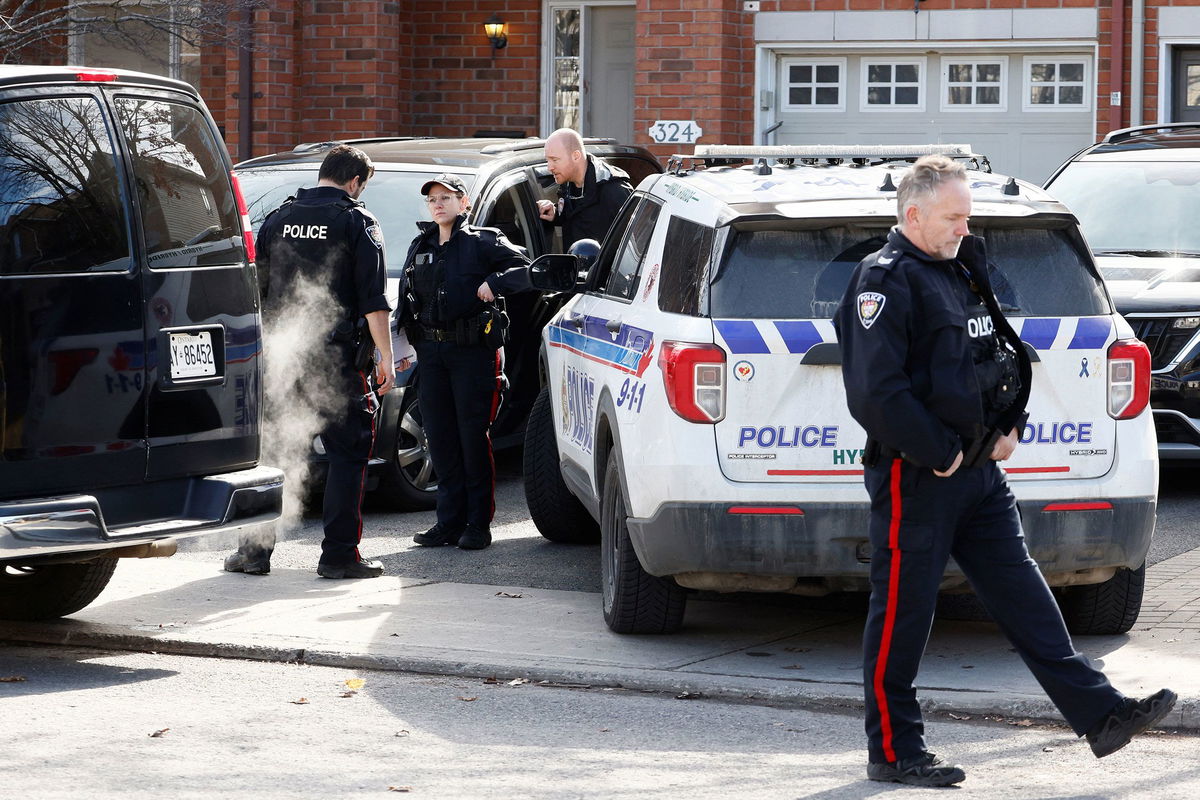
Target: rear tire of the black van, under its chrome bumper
(52, 591)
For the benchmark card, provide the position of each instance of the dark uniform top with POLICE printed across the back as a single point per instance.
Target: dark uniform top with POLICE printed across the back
(323, 236)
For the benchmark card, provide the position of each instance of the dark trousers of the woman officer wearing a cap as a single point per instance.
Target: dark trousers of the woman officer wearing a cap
(460, 393)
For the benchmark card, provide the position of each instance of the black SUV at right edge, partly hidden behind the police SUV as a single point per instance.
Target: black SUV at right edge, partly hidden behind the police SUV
(1137, 194)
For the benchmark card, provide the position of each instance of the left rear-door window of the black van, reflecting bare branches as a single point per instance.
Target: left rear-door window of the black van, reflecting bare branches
(61, 197)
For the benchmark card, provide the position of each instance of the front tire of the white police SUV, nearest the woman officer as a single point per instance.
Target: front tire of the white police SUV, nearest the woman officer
(556, 513)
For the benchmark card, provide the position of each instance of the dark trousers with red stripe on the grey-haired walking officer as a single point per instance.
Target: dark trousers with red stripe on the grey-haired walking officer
(919, 521)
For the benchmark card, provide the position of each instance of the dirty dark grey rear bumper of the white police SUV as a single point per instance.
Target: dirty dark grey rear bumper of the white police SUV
(830, 540)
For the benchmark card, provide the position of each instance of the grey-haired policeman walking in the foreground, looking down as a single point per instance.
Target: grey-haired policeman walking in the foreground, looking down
(940, 381)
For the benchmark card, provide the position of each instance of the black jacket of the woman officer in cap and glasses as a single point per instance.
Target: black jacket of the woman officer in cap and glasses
(470, 257)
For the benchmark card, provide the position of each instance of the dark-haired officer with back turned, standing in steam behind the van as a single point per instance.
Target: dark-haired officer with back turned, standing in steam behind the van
(326, 238)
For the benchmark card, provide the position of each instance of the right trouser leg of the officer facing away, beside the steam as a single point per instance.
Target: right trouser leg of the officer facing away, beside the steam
(349, 437)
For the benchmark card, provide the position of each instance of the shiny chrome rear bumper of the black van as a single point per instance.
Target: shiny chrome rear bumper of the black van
(51, 528)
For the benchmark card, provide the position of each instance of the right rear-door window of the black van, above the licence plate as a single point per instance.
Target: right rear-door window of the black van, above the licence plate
(188, 208)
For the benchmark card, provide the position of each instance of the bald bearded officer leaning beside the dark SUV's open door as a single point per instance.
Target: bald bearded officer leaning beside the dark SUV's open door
(591, 191)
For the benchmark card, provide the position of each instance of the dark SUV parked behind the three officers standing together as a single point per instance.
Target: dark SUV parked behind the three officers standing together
(506, 178)
